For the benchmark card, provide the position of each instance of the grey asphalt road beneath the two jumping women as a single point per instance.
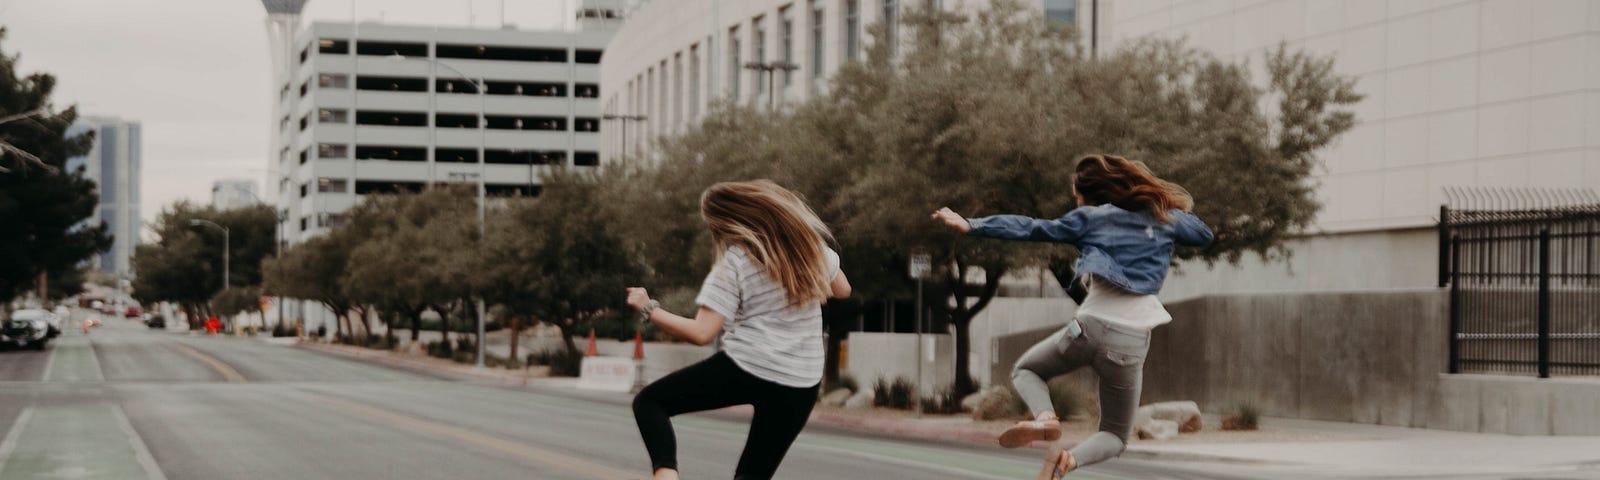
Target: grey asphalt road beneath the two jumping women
(134, 404)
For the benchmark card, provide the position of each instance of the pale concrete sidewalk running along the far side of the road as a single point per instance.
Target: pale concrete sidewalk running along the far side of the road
(1284, 446)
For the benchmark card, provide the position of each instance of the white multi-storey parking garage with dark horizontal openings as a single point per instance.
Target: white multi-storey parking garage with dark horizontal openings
(377, 108)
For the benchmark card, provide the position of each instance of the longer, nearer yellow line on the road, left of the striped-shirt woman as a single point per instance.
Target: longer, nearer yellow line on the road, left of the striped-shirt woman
(521, 450)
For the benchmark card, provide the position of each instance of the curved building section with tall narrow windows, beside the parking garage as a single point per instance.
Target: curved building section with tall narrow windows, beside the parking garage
(673, 60)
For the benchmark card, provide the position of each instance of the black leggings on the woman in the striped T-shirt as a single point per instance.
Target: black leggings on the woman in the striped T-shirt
(716, 383)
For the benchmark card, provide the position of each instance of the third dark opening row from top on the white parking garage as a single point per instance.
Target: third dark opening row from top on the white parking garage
(455, 121)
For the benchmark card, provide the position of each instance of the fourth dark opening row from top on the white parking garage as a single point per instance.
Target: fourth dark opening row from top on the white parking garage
(454, 156)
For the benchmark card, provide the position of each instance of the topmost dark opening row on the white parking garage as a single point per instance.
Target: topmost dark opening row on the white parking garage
(457, 52)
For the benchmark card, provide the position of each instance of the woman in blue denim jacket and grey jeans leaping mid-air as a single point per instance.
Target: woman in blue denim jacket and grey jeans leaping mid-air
(1126, 228)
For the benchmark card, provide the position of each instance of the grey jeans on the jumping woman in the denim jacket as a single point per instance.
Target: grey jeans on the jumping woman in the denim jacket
(1118, 358)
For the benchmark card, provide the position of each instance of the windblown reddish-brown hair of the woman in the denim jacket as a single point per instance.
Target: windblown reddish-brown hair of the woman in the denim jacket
(1129, 185)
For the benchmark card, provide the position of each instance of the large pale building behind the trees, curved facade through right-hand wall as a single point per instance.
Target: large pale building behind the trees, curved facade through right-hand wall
(1460, 94)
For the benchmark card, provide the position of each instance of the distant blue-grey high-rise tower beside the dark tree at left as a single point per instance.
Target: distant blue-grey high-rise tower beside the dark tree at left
(114, 166)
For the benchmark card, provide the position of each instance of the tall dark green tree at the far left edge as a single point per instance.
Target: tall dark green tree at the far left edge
(44, 207)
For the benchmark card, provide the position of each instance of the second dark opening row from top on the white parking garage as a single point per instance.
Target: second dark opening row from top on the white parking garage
(454, 86)
